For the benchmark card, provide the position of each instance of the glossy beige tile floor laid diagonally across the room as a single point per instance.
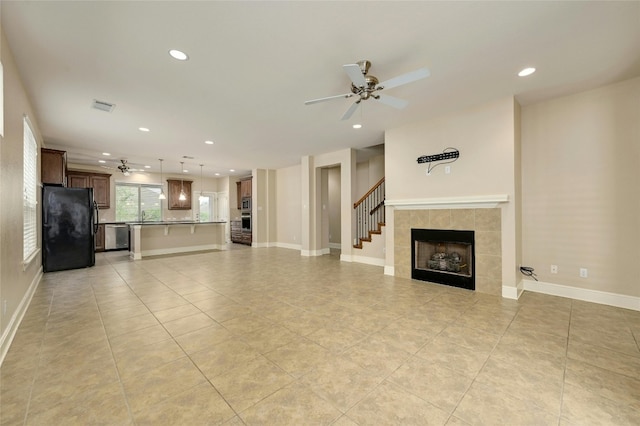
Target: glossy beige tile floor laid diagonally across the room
(267, 337)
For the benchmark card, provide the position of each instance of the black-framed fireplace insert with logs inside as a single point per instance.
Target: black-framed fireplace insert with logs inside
(443, 256)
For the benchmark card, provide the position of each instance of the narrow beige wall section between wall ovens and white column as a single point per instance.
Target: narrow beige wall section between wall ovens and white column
(289, 206)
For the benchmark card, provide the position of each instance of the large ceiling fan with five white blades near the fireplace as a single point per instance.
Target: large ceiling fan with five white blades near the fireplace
(365, 86)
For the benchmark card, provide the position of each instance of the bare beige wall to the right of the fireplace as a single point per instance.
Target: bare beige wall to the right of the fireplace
(581, 203)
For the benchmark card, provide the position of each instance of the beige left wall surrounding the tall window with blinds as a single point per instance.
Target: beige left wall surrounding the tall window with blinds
(16, 282)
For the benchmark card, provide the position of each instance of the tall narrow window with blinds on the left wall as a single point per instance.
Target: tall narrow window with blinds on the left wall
(29, 187)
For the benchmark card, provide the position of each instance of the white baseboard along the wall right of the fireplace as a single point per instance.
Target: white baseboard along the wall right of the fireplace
(587, 295)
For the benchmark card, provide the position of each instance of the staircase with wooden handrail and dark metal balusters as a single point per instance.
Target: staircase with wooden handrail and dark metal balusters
(369, 214)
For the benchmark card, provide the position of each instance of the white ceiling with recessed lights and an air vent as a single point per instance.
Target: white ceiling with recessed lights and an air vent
(253, 64)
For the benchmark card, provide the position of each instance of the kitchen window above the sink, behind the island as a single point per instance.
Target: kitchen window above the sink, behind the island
(138, 202)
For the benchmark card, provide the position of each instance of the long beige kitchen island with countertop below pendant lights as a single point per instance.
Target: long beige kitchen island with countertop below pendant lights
(157, 238)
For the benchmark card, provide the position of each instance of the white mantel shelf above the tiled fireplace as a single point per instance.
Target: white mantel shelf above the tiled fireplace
(479, 201)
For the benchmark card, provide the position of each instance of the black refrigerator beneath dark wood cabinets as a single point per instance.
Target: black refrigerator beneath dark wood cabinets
(69, 224)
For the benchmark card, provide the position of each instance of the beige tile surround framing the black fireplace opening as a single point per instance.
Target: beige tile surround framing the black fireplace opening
(486, 222)
